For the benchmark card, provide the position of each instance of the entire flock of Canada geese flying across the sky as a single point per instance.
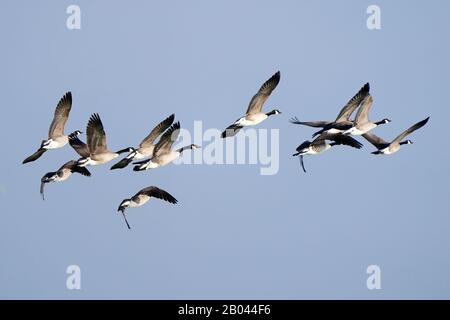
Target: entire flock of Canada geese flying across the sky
(153, 152)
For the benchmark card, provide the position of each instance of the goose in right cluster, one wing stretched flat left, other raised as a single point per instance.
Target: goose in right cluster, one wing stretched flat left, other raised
(342, 121)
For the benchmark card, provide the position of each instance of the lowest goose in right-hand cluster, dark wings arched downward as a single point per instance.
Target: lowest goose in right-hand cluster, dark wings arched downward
(320, 144)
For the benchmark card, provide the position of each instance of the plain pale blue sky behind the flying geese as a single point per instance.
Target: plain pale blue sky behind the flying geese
(306, 235)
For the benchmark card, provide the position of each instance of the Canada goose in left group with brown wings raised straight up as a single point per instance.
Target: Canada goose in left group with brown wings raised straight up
(96, 142)
